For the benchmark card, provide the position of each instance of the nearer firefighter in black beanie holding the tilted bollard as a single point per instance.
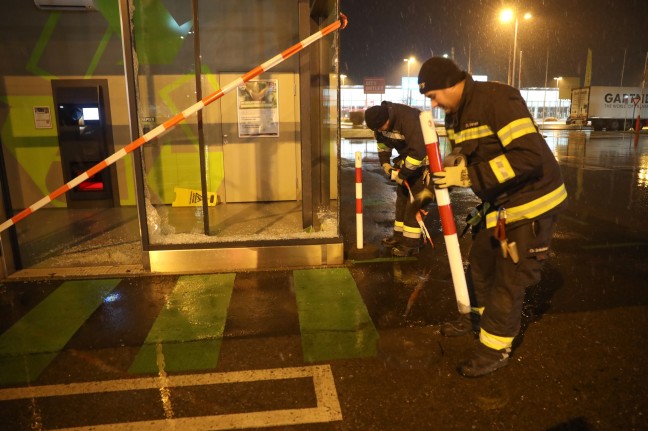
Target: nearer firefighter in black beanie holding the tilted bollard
(499, 153)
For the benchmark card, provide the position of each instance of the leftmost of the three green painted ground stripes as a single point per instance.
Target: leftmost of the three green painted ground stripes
(28, 347)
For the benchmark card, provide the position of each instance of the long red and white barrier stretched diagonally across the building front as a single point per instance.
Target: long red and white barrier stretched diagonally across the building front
(172, 122)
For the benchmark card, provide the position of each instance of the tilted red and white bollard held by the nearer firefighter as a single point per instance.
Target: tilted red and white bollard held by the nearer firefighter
(445, 211)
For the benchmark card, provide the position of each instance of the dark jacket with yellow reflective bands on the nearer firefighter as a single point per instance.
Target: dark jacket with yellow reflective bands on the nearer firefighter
(509, 163)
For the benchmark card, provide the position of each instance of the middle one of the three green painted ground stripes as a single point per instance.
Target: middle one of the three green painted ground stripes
(188, 332)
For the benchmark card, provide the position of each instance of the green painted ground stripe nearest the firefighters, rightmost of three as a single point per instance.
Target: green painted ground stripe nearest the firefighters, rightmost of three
(334, 320)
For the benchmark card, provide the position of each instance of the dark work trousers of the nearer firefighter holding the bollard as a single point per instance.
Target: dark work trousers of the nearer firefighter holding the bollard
(497, 283)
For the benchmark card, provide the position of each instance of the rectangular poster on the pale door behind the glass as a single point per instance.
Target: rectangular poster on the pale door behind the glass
(258, 109)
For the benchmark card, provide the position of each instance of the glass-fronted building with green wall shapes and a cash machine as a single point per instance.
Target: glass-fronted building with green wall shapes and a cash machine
(249, 181)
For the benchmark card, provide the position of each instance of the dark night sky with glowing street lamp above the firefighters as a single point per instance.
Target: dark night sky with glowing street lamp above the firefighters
(381, 33)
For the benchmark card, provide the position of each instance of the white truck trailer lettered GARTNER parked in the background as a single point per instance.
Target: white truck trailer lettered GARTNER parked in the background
(609, 108)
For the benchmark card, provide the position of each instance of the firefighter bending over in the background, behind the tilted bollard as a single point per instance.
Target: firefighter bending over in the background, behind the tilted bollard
(397, 127)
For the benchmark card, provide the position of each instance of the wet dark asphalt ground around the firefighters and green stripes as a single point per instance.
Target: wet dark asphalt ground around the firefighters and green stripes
(578, 364)
